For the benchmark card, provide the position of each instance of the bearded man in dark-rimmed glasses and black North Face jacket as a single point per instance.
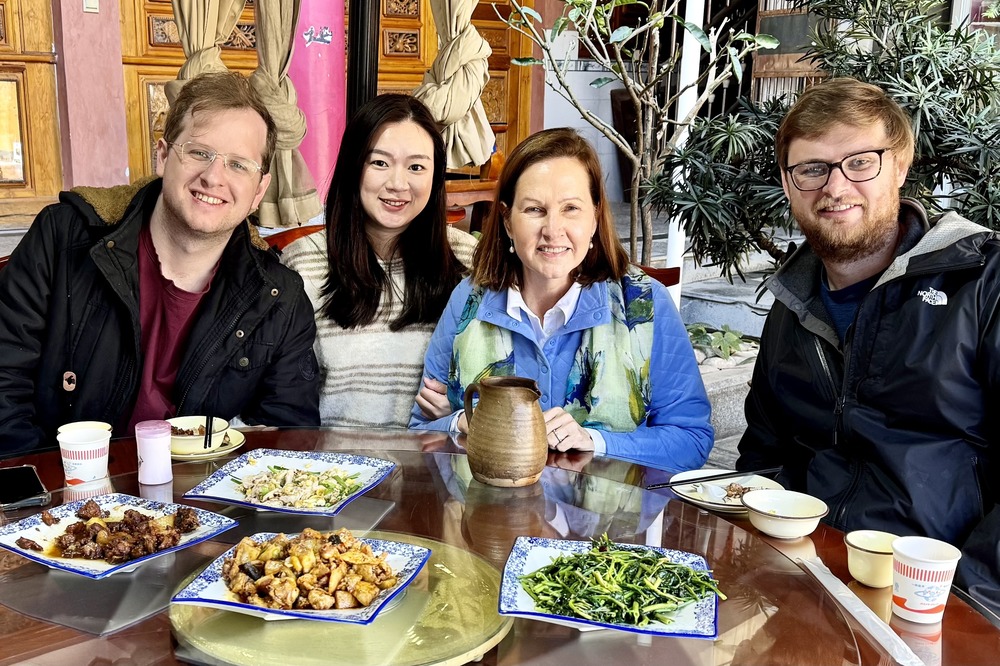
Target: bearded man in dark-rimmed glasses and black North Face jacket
(877, 382)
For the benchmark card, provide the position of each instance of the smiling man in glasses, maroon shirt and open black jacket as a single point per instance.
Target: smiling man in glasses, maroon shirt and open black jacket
(159, 298)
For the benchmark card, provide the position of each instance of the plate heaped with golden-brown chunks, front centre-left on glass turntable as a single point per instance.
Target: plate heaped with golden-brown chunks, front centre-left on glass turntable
(332, 576)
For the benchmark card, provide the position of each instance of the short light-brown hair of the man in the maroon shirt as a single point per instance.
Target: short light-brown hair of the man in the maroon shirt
(220, 91)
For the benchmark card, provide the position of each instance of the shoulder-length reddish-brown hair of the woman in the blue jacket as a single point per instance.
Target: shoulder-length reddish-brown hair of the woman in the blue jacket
(494, 267)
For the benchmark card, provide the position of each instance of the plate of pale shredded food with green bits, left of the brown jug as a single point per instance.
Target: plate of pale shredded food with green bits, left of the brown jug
(304, 482)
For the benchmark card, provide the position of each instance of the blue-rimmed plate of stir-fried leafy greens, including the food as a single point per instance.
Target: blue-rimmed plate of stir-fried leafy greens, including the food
(601, 584)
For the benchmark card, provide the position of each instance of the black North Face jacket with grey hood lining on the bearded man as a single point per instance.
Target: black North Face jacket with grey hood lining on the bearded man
(899, 429)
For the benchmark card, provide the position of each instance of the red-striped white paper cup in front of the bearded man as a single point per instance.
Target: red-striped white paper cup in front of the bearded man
(922, 571)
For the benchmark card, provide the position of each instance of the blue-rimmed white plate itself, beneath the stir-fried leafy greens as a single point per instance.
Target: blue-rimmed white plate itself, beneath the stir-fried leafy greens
(697, 620)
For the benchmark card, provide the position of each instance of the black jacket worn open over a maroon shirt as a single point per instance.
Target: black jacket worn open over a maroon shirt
(69, 304)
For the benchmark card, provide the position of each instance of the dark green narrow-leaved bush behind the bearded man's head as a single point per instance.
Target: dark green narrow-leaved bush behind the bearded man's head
(725, 187)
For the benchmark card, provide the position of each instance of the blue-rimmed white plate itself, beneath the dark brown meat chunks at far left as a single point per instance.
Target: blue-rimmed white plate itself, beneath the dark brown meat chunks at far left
(209, 525)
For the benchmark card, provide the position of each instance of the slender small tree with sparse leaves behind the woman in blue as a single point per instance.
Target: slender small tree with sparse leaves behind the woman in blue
(631, 55)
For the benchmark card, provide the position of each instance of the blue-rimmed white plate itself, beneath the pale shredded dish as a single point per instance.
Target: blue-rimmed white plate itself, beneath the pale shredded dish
(220, 486)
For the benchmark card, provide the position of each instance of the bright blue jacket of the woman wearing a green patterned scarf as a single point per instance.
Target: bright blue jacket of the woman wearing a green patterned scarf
(676, 434)
